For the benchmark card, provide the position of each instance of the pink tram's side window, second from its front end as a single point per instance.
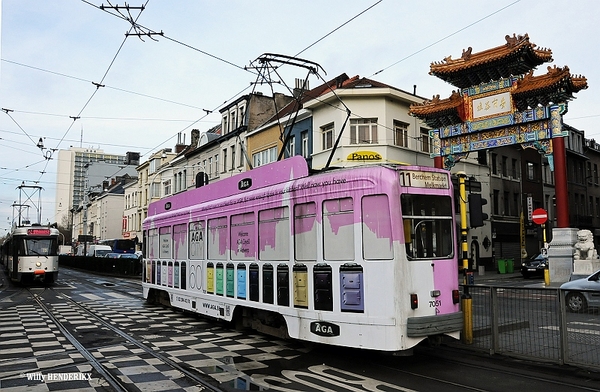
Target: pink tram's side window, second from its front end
(338, 229)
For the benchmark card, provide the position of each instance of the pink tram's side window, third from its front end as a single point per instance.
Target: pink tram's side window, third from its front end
(305, 231)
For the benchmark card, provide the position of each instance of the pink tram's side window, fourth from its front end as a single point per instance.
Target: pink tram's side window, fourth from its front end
(274, 234)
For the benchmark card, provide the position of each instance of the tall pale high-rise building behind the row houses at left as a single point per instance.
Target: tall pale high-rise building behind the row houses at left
(73, 177)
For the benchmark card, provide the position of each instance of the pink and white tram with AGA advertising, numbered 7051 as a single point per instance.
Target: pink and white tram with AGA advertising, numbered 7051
(358, 257)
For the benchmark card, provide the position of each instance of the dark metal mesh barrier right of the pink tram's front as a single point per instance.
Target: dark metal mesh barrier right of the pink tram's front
(534, 323)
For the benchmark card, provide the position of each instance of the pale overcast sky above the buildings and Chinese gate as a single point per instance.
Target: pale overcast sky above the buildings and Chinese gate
(55, 54)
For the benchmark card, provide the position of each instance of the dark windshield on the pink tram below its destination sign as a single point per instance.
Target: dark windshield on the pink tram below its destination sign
(428, 226)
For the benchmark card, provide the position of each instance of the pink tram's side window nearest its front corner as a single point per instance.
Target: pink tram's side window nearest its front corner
(377, 228)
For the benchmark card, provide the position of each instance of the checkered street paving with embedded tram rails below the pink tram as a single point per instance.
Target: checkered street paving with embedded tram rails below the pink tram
(106, 328)
